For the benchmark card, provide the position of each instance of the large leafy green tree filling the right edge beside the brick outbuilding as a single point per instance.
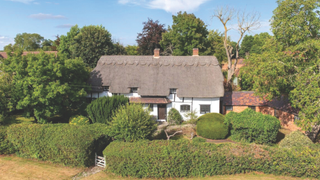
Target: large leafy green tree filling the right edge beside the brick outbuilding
(290, 63)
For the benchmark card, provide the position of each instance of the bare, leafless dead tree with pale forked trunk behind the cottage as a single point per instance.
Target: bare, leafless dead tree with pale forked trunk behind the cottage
(246, 22)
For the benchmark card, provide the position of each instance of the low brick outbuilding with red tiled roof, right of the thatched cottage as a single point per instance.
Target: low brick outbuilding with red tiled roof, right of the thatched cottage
(238, 101)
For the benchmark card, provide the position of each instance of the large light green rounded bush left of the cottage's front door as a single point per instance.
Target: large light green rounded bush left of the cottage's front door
(132, 122)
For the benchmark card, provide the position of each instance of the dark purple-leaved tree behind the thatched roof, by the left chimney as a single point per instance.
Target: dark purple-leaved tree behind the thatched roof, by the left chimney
(150, 37)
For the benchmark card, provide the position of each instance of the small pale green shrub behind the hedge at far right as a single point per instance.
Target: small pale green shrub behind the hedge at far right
(295, 139)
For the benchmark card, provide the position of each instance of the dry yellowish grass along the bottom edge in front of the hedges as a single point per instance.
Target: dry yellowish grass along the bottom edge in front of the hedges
(16, 168)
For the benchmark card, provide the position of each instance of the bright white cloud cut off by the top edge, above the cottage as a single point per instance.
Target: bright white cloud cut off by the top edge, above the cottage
(172, 6)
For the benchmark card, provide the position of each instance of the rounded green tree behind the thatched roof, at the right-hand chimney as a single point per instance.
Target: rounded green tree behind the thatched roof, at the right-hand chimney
(187, 32)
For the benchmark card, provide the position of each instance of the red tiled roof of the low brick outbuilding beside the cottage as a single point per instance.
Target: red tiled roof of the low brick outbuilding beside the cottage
(247, 98)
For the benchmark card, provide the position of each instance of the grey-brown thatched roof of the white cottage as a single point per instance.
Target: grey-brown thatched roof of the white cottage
(192, 76)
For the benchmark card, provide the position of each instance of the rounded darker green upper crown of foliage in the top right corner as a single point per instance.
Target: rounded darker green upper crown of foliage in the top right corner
(295, 21)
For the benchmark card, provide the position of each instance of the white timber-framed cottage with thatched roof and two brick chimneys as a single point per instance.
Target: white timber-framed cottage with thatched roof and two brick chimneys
(161, 82)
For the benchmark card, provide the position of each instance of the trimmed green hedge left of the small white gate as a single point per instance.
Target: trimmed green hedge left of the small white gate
(60, 143)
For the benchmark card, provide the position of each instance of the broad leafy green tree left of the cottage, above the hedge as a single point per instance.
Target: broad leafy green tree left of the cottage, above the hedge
(45, 85)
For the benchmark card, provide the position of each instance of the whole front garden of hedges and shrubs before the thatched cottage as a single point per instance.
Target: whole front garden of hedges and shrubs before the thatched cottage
(127, 135)
